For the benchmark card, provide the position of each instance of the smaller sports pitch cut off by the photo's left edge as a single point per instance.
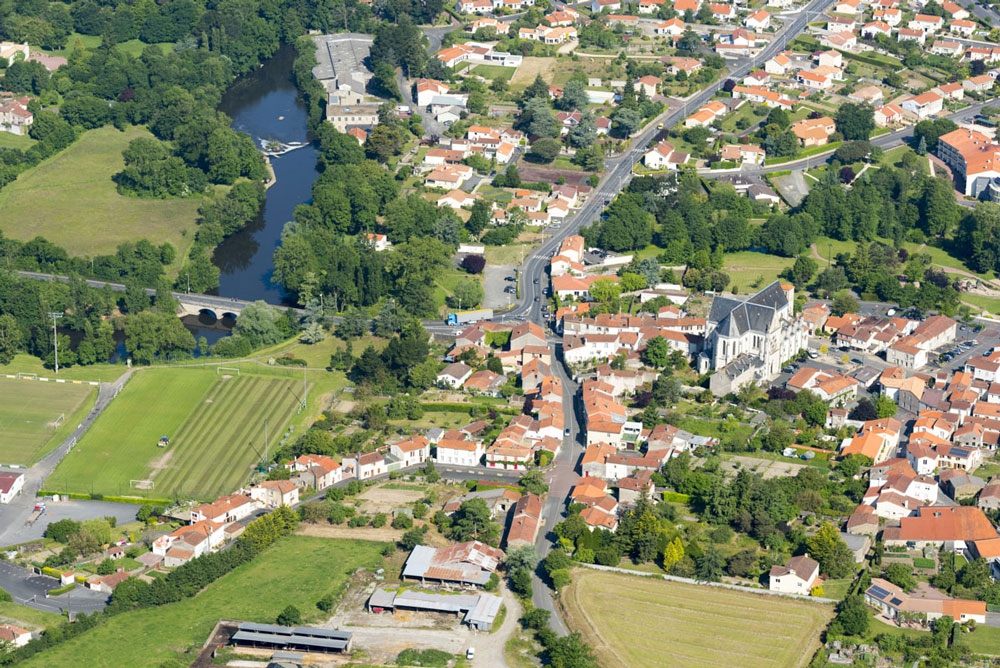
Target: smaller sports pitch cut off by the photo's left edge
(36, 416)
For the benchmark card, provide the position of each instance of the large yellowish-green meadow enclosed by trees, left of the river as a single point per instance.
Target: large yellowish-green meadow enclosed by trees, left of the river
(71, 200)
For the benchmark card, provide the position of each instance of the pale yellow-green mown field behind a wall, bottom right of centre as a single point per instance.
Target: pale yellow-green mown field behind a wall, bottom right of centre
(694, 625)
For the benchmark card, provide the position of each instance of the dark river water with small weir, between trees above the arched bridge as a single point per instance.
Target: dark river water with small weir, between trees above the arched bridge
(265, 105)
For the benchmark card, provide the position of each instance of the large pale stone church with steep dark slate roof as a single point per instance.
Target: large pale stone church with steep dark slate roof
(749, 340)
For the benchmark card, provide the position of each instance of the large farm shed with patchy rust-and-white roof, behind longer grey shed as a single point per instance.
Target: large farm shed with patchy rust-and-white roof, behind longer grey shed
(465, 564)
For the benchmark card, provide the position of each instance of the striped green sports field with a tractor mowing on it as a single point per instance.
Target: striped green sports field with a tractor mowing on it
(215, 424)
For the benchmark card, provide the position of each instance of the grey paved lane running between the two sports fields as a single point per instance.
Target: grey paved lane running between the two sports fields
(14, 515)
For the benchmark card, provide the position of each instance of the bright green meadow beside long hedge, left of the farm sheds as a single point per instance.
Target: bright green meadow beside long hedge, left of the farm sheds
(297, 571)
